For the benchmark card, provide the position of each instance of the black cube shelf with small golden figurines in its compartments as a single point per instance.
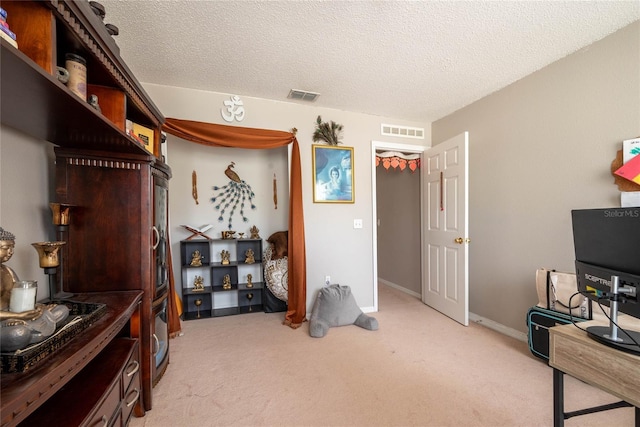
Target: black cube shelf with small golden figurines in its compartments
(221, 277)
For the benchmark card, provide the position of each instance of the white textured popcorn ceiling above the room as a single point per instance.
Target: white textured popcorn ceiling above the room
(416, 61)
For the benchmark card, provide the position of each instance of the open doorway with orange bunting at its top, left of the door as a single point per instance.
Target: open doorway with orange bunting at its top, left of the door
(397, 221)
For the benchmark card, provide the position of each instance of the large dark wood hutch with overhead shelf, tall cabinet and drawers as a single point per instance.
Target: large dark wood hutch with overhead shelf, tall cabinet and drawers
(117, 242)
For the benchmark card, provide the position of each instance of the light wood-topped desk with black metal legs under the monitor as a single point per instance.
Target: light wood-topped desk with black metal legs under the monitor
(573, 352)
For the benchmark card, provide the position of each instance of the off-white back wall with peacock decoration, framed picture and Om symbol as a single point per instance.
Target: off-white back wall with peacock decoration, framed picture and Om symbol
(333, 246)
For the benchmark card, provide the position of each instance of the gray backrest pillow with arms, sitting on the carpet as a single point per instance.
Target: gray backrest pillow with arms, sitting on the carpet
(336, 306)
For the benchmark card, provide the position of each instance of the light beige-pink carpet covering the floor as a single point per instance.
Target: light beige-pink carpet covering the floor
(419, 369)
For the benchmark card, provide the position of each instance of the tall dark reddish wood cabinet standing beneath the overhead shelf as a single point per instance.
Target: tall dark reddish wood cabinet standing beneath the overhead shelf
(112, 236)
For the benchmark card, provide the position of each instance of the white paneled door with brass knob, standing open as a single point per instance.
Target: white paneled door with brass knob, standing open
(445, 284)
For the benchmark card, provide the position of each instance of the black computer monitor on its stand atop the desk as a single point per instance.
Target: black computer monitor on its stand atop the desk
(607, 248)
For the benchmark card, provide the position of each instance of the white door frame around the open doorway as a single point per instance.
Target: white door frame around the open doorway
(391, 146)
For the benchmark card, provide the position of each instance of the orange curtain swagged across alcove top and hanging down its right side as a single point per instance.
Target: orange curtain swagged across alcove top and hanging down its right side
(240, 137)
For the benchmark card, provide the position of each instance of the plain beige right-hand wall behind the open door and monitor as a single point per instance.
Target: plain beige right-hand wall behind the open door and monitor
(539, 148)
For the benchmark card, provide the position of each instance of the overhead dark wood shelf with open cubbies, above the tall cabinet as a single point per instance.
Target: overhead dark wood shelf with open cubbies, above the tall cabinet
(36, 103)
